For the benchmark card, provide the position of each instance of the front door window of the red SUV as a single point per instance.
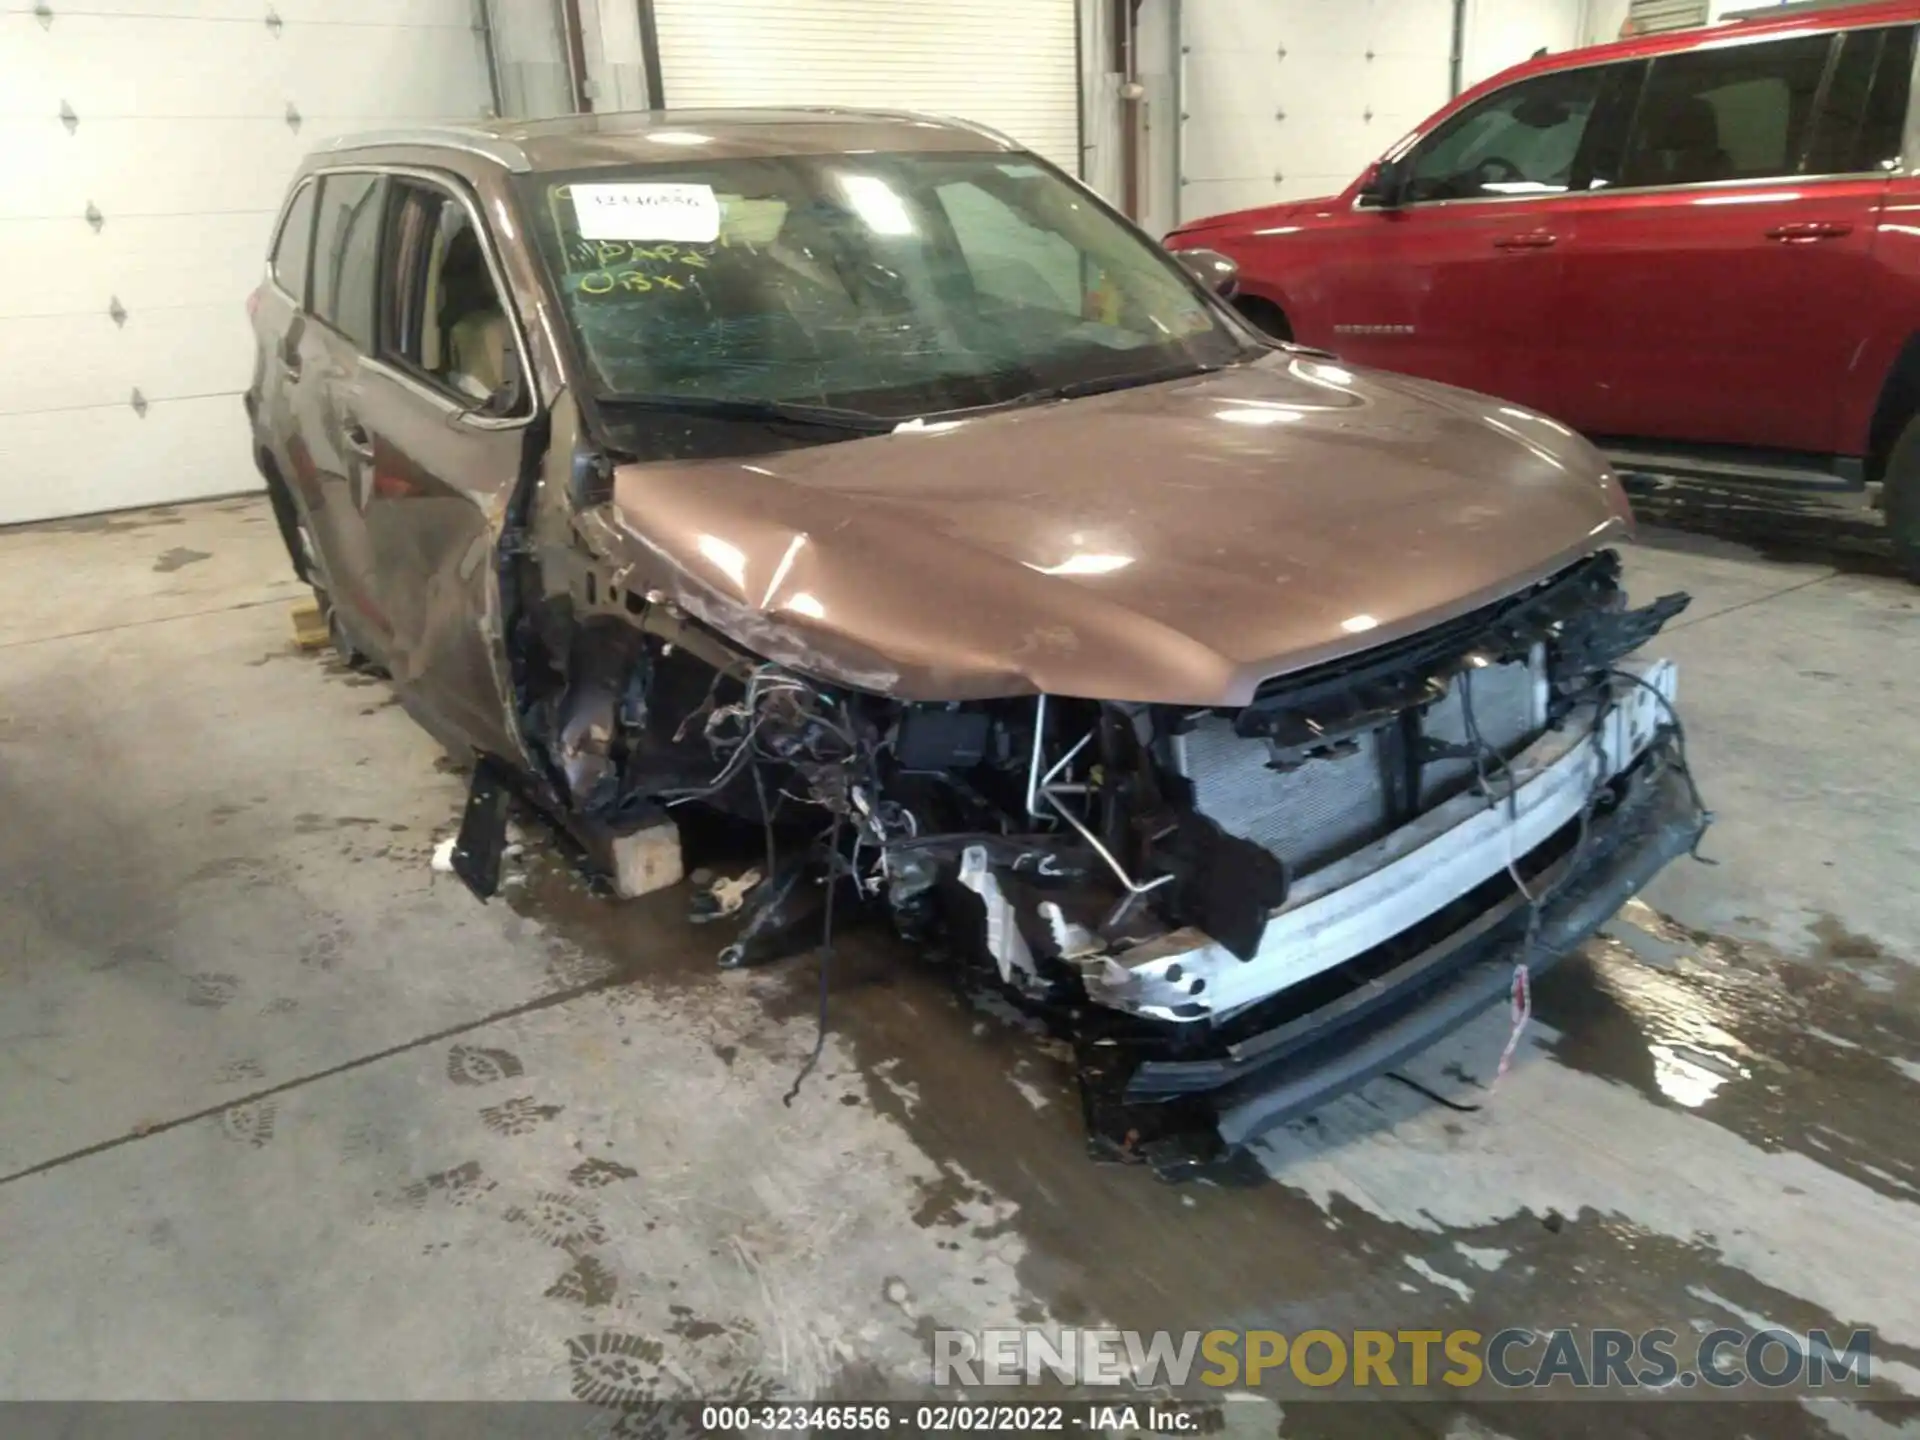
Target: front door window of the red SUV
(1516, 143)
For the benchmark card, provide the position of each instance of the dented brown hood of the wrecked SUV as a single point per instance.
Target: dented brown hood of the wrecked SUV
(1178, 542)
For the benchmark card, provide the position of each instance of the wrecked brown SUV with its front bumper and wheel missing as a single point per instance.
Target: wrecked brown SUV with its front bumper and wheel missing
(1247, 717)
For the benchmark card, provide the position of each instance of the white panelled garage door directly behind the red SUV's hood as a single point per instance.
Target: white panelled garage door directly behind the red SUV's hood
(1289, 99)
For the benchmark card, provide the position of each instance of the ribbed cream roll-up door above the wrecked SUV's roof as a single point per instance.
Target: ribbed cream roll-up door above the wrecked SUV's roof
(1009, 64)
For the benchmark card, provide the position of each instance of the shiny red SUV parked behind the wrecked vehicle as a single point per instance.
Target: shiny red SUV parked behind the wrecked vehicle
(1698, 249)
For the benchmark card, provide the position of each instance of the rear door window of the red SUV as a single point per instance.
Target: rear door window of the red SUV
(1735, 114)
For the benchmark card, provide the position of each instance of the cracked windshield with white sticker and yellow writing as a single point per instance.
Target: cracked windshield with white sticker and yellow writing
(888, 283)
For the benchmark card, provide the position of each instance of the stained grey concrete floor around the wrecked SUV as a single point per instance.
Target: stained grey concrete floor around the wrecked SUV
(287, 1115)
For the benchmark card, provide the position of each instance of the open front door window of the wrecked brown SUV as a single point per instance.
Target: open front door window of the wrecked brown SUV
(444, 318)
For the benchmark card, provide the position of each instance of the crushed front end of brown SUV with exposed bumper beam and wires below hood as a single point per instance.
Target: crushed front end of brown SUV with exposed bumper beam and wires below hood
(1234, 915)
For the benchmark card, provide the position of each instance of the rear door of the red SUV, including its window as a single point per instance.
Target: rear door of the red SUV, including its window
(1714, 281)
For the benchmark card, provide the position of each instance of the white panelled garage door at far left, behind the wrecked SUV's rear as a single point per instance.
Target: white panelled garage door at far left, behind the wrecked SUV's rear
(145, 147)
